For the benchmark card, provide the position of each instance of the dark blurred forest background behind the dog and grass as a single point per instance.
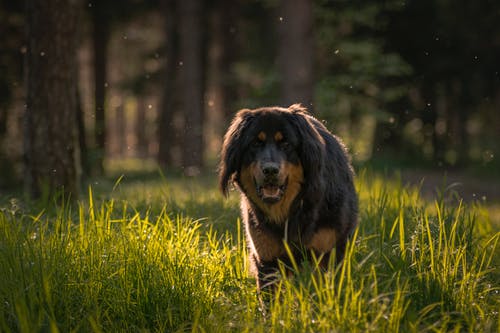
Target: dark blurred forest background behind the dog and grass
(412, 85)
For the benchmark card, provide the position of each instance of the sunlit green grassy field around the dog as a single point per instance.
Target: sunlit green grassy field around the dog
(167, 254)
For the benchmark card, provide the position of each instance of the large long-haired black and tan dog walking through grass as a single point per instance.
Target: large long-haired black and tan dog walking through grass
(296, 185)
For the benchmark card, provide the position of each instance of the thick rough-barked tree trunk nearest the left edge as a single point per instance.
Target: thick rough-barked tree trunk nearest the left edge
(51, 105)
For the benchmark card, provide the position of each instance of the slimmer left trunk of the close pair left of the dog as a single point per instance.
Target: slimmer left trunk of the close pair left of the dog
(166, 127)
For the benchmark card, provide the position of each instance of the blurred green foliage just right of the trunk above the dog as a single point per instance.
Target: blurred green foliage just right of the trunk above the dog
(358, 78)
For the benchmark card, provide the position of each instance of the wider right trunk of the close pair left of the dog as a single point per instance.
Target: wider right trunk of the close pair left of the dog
(192, 83)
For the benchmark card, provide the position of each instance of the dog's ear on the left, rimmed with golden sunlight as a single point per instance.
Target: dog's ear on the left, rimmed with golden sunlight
(231, 153)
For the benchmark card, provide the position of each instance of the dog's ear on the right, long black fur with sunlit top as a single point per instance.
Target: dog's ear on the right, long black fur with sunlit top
(312, 149)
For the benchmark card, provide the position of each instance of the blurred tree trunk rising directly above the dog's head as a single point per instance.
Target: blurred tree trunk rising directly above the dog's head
(295, 52)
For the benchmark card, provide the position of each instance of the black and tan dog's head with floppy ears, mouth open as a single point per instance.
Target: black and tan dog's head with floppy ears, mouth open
(271, 154)
